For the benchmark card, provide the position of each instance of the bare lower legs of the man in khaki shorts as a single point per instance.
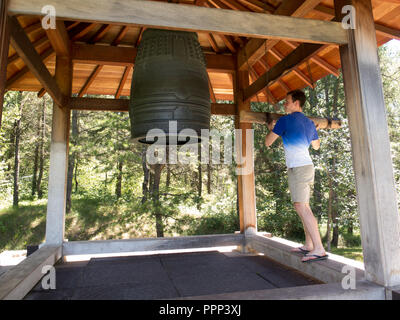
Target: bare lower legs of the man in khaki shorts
(311, 225)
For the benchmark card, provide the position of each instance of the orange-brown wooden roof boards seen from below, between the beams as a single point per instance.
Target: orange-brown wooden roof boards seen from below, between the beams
(114, 78)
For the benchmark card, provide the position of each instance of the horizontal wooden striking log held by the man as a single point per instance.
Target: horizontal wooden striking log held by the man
(266, 117)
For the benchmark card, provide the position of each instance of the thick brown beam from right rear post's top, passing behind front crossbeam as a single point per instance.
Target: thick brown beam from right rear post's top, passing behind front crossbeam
(255, 48)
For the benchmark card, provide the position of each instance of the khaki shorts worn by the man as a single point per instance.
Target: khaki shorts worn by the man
(301, 181)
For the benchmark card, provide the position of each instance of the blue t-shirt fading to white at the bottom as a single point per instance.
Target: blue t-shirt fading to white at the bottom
(297, 132)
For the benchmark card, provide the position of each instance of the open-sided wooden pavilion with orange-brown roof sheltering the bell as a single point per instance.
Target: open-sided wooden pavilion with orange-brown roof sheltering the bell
(256, 50)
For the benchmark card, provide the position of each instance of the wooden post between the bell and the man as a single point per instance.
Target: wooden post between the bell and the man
(246, 184)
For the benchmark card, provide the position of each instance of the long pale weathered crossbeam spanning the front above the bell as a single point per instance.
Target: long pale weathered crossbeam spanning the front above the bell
(190, 18)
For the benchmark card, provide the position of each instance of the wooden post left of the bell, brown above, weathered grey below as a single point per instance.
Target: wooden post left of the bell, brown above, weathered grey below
(55, 222)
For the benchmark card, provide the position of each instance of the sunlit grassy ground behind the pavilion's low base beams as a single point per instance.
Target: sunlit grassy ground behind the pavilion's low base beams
(105, 218)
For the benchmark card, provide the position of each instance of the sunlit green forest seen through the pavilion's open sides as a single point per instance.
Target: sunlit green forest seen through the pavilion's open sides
(113, 194)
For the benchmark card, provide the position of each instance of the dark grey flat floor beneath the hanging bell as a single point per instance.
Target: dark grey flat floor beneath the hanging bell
(167, 276)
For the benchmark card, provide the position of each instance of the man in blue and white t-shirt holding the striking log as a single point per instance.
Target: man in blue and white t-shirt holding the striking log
(298, 132)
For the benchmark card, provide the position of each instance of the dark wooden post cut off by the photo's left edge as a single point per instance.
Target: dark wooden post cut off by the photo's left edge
(4, 45)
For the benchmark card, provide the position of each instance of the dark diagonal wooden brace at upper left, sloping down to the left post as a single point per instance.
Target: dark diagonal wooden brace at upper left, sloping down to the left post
(32, 59)
